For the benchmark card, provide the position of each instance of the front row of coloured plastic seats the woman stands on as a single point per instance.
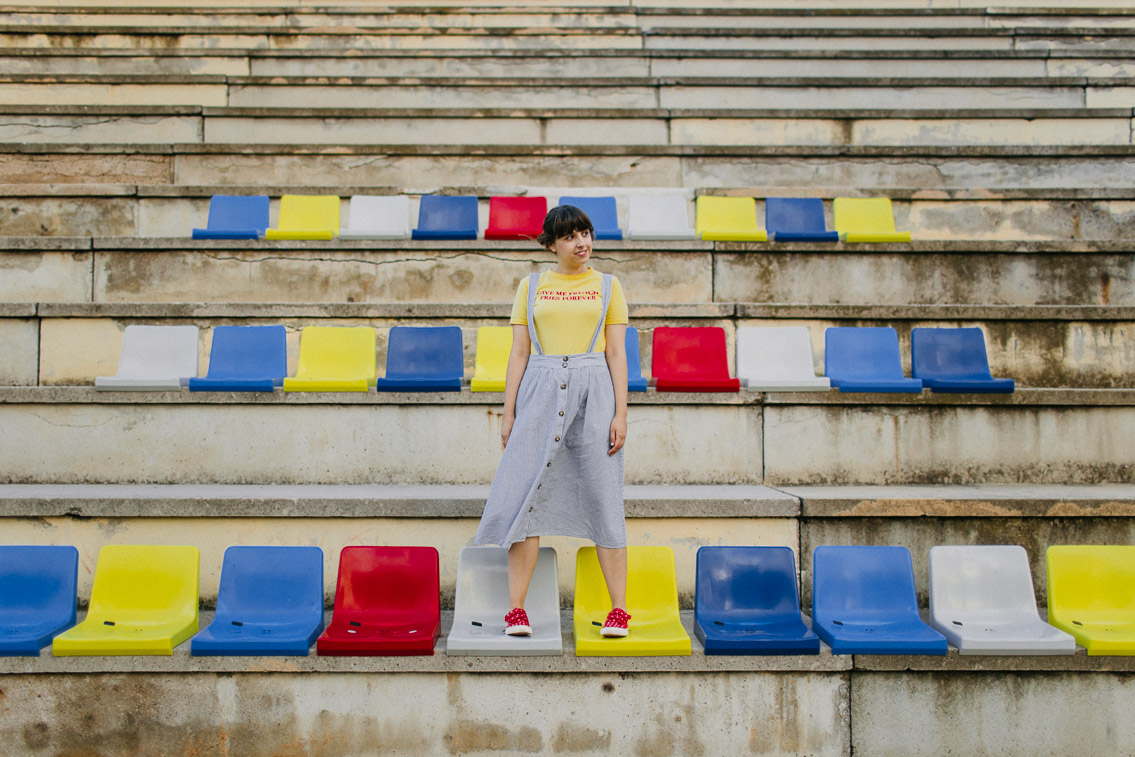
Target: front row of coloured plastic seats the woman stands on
(145, 602)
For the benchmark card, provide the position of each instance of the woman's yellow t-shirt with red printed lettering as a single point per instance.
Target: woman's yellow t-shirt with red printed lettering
(567, 312)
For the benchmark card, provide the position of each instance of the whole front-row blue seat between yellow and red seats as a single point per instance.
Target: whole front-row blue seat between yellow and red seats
(271, 602)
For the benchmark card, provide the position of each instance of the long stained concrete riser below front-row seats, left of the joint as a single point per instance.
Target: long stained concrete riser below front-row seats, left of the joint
(430, 714)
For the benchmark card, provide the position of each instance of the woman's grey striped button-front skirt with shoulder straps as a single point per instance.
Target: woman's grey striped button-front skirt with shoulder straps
(556, 476)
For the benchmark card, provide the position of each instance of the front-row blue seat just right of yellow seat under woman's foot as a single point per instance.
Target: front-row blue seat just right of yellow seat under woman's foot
(747, 603)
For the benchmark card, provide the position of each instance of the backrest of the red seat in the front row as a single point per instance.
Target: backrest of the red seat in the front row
(389, 584)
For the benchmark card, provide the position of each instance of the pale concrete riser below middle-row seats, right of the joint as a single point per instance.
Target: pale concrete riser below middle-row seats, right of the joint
(898, 444)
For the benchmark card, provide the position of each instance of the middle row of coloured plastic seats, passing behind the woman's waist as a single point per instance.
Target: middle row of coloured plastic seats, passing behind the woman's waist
(431, 359)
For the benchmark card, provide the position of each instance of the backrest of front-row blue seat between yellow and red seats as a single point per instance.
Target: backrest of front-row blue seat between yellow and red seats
(282, 584)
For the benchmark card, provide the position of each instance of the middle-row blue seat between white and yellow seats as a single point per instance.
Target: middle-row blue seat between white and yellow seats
(246, 359)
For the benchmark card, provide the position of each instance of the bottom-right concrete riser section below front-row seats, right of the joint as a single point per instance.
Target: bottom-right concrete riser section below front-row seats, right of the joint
(991, 714)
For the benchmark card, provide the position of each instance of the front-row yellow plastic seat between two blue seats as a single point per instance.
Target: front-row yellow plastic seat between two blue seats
(145, 602)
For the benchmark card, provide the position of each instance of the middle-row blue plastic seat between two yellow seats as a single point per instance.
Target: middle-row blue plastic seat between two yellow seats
(424, 359)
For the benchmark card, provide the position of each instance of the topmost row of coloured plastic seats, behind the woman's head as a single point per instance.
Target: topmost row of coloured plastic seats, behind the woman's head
(650, 217)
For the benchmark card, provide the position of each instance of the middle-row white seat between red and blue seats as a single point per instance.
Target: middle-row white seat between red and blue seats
(778, 359)
